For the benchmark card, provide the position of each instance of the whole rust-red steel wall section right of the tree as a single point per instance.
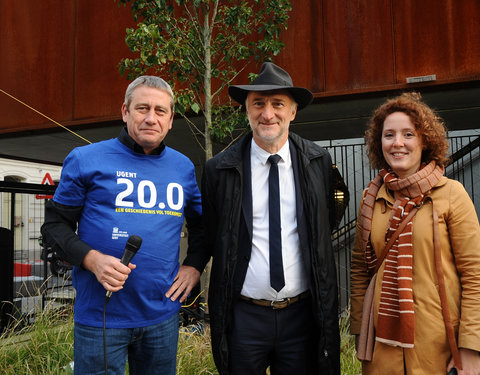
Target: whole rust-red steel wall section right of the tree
(352, 46)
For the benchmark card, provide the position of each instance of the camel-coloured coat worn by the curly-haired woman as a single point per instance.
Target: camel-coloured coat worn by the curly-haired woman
(460, 247)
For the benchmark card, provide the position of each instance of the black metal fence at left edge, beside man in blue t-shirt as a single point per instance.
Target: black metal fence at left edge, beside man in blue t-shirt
(27, 284)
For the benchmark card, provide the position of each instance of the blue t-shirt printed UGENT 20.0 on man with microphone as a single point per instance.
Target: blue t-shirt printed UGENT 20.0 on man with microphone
(125, 193)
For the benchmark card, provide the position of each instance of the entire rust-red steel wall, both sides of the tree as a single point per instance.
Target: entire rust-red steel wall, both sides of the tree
(61, 56)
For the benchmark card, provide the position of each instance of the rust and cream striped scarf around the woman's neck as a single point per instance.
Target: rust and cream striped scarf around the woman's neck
(396, 315)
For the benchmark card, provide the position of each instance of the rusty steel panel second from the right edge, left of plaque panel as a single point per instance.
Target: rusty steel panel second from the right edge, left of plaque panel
(358, 44)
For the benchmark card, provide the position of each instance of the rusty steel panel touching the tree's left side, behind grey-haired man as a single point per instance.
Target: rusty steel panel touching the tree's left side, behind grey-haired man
(100, 45)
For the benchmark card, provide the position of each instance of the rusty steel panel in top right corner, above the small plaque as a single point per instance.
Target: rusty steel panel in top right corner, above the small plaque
(437, 38)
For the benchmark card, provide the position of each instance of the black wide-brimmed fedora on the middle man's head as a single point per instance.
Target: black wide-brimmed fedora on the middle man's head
(271, 77)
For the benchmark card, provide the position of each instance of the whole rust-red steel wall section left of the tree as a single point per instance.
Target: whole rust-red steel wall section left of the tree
(61, 58)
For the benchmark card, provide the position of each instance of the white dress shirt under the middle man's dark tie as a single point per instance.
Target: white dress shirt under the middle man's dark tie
(257, 280)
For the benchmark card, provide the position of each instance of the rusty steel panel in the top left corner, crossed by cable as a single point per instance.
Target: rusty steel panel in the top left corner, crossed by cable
(36, 54)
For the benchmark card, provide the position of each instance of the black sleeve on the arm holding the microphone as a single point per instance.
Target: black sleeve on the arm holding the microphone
(59, 231)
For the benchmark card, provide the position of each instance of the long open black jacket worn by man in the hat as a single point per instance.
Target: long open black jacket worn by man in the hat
(222, 190)
